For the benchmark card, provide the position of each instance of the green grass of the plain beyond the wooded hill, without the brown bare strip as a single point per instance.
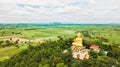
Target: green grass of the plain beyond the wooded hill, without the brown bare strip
(39, 33)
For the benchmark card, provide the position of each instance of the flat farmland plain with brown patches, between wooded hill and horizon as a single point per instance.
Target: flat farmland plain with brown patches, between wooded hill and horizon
(35, 34)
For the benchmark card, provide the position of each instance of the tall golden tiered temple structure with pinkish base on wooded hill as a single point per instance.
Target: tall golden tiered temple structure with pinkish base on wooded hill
(78, 50)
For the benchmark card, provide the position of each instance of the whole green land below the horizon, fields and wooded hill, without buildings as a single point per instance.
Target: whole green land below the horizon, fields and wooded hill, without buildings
(48, 45)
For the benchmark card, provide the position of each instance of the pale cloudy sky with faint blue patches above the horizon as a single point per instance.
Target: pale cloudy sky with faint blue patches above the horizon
(65, 11)
